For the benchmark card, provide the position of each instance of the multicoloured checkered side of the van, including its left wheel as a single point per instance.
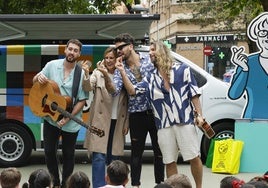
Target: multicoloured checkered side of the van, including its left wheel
(20, 129)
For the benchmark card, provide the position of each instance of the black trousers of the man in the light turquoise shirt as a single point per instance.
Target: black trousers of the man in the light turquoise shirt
(51, 141)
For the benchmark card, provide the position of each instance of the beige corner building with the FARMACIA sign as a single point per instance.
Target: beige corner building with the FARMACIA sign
(207, 46)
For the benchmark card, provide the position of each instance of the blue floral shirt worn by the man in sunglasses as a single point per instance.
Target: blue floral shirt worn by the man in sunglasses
(139, 102)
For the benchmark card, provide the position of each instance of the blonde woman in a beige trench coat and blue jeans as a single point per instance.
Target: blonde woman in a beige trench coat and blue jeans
(107, 113)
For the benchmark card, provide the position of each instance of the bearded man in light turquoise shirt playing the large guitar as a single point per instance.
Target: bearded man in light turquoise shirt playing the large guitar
(62, 71)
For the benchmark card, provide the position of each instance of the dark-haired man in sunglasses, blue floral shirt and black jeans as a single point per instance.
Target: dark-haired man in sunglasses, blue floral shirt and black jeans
(141, 118)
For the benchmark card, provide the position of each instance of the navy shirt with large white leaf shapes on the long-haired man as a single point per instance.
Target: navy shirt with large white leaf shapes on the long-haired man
(171, 107)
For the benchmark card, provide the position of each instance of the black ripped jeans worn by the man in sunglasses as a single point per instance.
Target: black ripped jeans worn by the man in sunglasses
(140, 124)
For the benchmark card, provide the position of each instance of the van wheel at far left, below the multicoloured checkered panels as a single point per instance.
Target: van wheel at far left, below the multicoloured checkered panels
(15, 145)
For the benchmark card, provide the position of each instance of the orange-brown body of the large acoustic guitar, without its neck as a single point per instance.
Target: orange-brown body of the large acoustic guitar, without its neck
(42, 95)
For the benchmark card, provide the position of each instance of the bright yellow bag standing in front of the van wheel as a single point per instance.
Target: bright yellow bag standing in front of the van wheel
(226, 156)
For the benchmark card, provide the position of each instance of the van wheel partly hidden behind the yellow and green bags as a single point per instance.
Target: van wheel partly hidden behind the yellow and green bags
(222, 130)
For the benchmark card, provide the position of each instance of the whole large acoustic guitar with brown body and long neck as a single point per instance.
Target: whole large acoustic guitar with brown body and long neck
(46, 100)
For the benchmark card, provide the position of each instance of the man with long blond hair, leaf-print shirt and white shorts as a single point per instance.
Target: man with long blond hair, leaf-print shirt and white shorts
(173, 92)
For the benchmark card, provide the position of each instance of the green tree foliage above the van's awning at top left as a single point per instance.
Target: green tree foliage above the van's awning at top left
(60, 6)
